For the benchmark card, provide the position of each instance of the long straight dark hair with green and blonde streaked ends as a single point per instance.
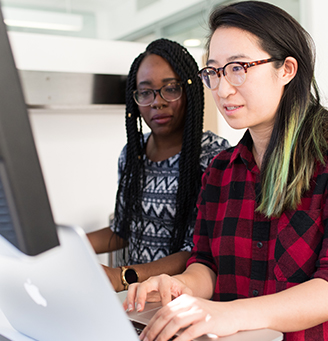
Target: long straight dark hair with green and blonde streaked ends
(299, 136)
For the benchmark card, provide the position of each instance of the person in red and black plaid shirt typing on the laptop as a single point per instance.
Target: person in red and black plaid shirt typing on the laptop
(261, 234)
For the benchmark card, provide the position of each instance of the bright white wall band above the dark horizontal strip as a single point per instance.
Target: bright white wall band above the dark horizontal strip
(41, 52)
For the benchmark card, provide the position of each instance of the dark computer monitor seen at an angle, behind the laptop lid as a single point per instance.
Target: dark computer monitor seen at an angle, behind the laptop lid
(26, 219)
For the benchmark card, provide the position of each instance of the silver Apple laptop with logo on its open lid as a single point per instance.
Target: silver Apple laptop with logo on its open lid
(64, 294)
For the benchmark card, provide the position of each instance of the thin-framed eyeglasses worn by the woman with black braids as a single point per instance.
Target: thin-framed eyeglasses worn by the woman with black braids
(169, 92)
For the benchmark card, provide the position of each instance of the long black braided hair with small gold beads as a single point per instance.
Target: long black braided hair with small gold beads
(130, 190)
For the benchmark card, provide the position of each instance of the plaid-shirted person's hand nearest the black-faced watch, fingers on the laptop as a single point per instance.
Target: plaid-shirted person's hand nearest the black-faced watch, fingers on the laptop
(161, 288)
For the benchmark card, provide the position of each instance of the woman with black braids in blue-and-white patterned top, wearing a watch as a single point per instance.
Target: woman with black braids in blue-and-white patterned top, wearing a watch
(160, 172)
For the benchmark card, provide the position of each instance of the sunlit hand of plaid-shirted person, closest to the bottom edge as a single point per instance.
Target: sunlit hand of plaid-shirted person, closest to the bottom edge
(199, 316)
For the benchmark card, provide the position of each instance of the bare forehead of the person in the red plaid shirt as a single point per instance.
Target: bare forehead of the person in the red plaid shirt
(232, 44)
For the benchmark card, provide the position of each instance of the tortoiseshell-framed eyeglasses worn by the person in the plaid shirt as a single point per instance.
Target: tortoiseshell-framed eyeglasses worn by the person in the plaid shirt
(234, 72)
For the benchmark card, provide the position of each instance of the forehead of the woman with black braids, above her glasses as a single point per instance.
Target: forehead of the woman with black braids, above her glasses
(155, 69)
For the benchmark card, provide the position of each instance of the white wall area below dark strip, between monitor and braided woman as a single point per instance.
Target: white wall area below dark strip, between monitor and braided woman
(78, 153)
